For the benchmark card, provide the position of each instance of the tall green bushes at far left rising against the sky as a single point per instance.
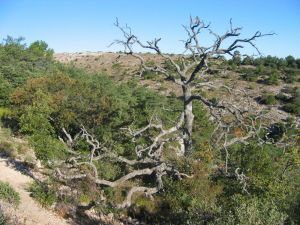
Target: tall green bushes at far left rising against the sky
(19, 63)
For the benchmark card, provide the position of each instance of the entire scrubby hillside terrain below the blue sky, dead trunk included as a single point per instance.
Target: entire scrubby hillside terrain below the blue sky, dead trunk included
(107, 144)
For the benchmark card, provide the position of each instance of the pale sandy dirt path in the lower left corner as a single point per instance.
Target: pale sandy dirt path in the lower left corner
(28, 211)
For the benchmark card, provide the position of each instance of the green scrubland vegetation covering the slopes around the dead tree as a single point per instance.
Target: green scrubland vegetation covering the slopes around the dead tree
(48, 104)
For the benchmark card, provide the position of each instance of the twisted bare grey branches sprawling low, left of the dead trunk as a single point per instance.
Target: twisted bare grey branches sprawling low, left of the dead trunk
(149, 162)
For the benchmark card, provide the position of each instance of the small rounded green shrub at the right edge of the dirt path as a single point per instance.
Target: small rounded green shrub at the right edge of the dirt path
(42, 195)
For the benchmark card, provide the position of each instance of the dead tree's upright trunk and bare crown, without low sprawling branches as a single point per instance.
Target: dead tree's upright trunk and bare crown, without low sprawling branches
(191, 67)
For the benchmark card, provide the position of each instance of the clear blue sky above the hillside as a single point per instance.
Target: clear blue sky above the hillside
(87, 25)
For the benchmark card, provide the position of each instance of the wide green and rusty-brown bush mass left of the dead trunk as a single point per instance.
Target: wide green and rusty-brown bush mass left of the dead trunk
(47, 104)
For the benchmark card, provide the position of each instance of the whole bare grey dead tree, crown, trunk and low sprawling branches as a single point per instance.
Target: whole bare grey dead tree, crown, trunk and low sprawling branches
(191, 75)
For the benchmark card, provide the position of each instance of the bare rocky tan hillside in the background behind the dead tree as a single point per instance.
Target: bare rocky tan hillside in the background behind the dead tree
(122, 67)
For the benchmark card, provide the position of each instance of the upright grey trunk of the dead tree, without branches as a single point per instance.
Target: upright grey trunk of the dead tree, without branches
(188, 119)
